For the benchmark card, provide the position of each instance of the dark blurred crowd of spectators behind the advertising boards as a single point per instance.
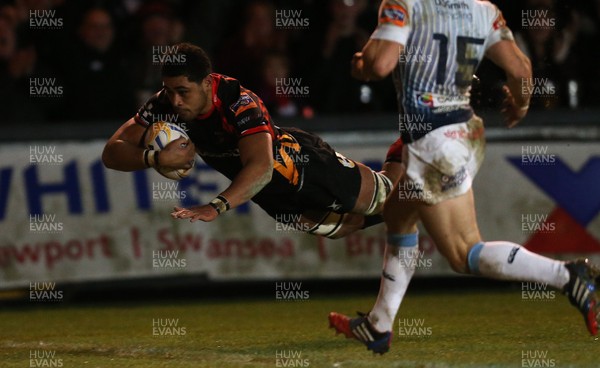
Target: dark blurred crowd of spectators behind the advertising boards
(101, 54)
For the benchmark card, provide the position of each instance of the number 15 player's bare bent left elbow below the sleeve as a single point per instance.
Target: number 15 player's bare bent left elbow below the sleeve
(377, 59)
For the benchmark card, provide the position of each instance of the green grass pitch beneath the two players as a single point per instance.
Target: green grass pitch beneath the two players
(453, 329)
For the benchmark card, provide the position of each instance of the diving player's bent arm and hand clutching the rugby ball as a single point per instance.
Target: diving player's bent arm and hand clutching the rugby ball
(124, 151)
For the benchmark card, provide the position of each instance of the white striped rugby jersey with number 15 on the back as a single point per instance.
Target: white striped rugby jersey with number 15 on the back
(444, 42)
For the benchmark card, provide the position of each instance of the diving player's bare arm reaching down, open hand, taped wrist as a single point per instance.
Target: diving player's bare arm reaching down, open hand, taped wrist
(256, 154)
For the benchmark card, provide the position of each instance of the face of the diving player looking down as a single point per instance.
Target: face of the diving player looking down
(189, 99)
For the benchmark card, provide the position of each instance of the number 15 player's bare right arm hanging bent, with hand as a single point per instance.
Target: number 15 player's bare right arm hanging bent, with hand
(517, 67)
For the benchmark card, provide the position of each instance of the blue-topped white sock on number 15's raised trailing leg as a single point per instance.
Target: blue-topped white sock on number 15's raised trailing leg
(509, 261)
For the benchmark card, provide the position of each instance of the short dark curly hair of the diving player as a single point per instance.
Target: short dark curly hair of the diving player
(188, 60)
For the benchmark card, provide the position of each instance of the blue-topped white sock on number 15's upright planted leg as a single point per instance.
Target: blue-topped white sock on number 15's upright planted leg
(398, 268)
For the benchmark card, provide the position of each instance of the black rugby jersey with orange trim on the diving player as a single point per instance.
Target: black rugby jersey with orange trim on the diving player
(237, 112)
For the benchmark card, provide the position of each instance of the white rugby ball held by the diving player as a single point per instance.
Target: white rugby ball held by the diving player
(158, 136)
